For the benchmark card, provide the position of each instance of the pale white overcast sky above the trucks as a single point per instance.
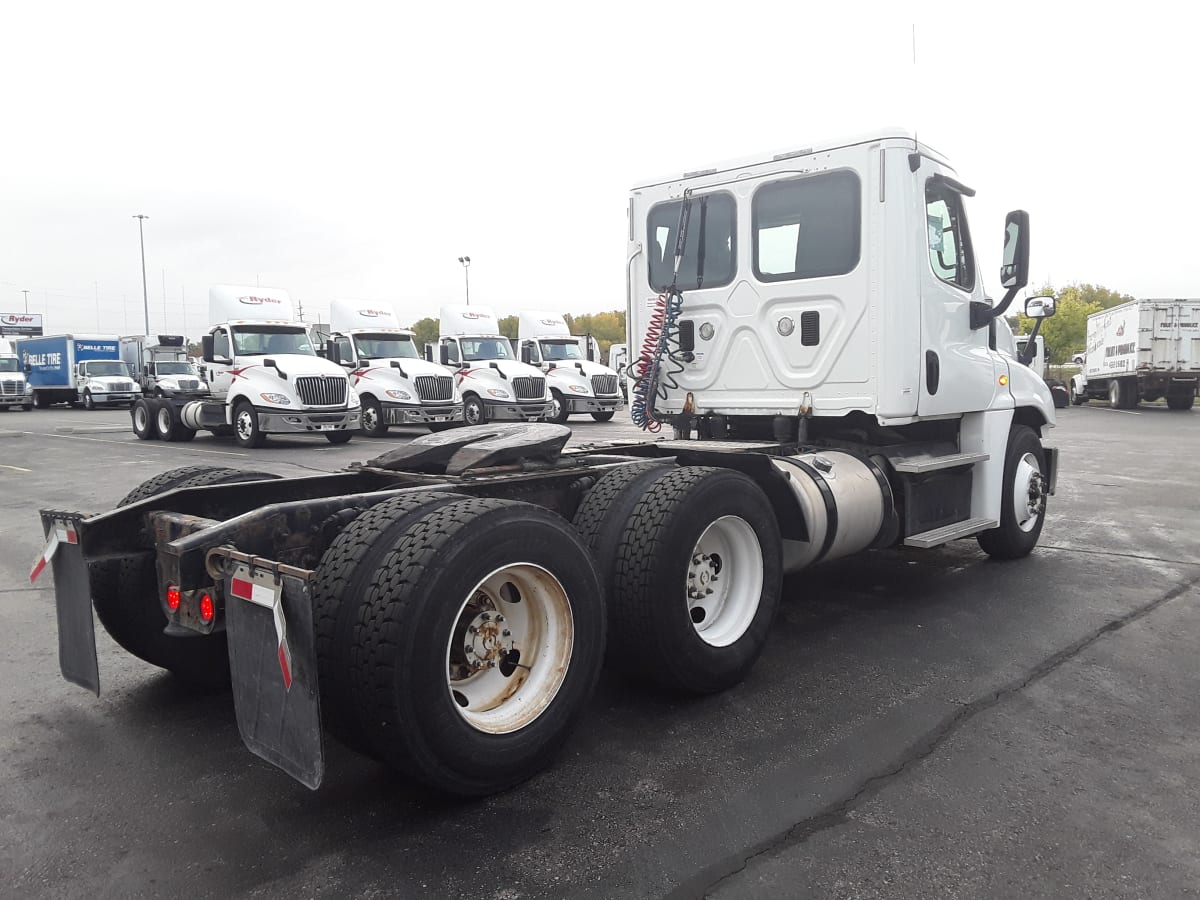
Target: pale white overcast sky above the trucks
(358, 151)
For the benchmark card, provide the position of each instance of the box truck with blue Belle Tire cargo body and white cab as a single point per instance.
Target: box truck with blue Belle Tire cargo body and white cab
(79, 369)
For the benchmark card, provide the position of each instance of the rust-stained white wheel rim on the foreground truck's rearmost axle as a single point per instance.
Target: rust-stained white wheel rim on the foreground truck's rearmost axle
(518, 608)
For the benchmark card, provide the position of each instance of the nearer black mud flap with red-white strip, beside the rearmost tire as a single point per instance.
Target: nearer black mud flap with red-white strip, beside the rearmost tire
(279, 722)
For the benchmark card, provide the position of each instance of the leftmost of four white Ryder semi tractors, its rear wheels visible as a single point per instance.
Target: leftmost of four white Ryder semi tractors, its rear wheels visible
(265, 375)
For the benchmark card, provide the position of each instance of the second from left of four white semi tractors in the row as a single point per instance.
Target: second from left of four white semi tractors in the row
(394, 383)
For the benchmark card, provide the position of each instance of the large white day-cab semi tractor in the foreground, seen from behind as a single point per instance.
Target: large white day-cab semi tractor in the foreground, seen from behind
(812, 334)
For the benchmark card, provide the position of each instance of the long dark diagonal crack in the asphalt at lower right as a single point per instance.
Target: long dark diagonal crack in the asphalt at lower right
(838, 813)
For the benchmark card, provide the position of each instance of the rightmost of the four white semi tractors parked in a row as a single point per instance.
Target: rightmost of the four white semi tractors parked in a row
(577, 385)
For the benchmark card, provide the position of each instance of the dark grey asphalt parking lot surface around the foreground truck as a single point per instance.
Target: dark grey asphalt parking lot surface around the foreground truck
(922, 723)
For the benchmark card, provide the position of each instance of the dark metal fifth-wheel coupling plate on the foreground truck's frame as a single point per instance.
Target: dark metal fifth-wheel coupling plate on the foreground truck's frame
(463, 449)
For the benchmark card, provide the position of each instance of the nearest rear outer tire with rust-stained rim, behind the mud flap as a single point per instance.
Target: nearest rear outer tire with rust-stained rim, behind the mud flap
(419, 719)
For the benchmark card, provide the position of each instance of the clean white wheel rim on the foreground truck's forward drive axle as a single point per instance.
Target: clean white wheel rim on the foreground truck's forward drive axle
(724, 581)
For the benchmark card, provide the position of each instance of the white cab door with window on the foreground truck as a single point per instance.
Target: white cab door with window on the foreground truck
(958, 369)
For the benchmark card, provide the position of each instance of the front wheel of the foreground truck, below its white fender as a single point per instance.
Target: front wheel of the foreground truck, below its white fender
(1023, 499)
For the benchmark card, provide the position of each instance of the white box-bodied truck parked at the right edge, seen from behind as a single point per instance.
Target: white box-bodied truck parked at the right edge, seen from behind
(1144, 350)
